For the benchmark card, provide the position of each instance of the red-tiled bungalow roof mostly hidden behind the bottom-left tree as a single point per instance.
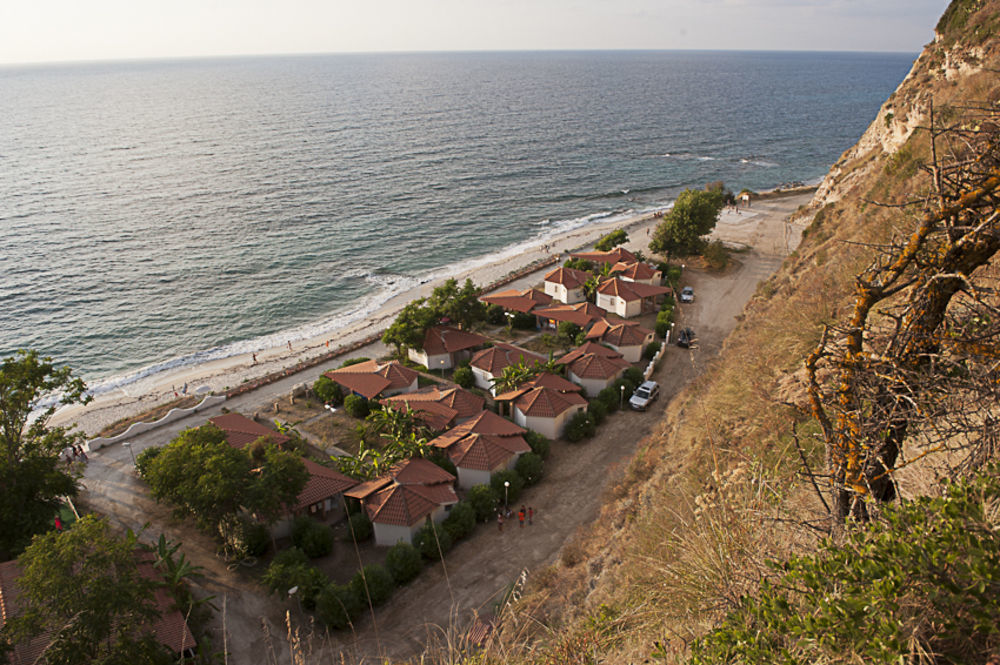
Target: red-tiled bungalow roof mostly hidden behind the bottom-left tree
(170, 629)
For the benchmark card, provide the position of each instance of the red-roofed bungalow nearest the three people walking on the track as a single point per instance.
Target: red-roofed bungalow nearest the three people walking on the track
(399, 503)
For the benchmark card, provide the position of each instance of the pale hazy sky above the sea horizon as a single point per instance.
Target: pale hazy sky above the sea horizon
(58, 30)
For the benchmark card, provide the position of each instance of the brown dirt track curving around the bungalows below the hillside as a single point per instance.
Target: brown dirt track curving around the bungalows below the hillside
(480, 568)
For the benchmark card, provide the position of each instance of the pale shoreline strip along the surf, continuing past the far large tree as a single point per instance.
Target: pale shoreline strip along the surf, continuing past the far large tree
(239, 373)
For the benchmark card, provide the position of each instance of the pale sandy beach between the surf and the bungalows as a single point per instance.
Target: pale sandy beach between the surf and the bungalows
(226, 373)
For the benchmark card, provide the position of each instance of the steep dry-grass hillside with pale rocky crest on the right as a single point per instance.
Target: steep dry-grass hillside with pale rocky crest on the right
(722, 486)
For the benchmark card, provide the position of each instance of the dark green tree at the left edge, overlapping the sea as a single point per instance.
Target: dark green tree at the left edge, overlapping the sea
(30, 474)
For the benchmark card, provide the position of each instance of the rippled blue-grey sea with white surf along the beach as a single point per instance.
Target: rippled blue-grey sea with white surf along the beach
(155, 214)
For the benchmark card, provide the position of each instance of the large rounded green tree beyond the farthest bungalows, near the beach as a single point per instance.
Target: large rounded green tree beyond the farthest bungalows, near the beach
(694, 215)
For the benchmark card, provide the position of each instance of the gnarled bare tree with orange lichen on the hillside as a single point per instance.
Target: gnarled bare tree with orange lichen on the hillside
(914, 371)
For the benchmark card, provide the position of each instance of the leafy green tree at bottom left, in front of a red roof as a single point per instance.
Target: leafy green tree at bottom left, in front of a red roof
(82, 589)
